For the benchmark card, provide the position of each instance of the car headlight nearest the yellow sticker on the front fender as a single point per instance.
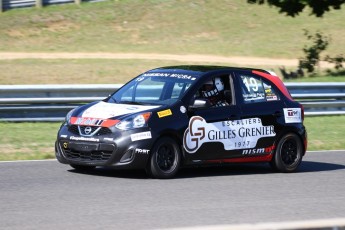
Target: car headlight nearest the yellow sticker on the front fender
(134, 121)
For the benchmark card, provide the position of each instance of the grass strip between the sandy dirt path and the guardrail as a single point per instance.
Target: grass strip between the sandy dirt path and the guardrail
(95, 71)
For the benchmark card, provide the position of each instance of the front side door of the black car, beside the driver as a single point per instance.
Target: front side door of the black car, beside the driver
(209, 135)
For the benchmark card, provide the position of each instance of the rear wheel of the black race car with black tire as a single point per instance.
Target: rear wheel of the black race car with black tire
(288, 154)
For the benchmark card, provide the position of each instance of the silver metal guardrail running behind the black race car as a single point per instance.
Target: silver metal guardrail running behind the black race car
(52, 102)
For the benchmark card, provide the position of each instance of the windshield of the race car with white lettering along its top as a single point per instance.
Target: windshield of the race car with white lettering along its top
(153, 89)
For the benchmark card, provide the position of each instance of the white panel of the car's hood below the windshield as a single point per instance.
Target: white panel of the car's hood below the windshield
(106, 110)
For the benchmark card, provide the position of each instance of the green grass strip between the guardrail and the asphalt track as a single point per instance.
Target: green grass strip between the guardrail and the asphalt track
(21, 141)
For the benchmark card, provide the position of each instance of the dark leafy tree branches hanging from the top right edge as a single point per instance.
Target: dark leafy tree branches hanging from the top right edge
(294, 7)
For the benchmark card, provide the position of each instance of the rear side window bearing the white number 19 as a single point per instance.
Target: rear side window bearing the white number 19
(254, 90)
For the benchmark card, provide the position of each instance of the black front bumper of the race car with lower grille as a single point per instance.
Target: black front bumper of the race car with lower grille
(114, 149)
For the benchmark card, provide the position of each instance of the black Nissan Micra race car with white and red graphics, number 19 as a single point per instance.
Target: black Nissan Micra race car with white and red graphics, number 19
(180, 116)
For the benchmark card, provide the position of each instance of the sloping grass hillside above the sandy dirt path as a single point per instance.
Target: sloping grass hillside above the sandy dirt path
(227, 27)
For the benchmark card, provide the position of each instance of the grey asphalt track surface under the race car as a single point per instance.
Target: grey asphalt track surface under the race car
(49, 195)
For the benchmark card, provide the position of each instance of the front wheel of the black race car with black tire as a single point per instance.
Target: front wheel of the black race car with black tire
(165, 159)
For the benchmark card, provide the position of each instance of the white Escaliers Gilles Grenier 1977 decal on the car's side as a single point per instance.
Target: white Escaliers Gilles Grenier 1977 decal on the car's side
(237, 134)
